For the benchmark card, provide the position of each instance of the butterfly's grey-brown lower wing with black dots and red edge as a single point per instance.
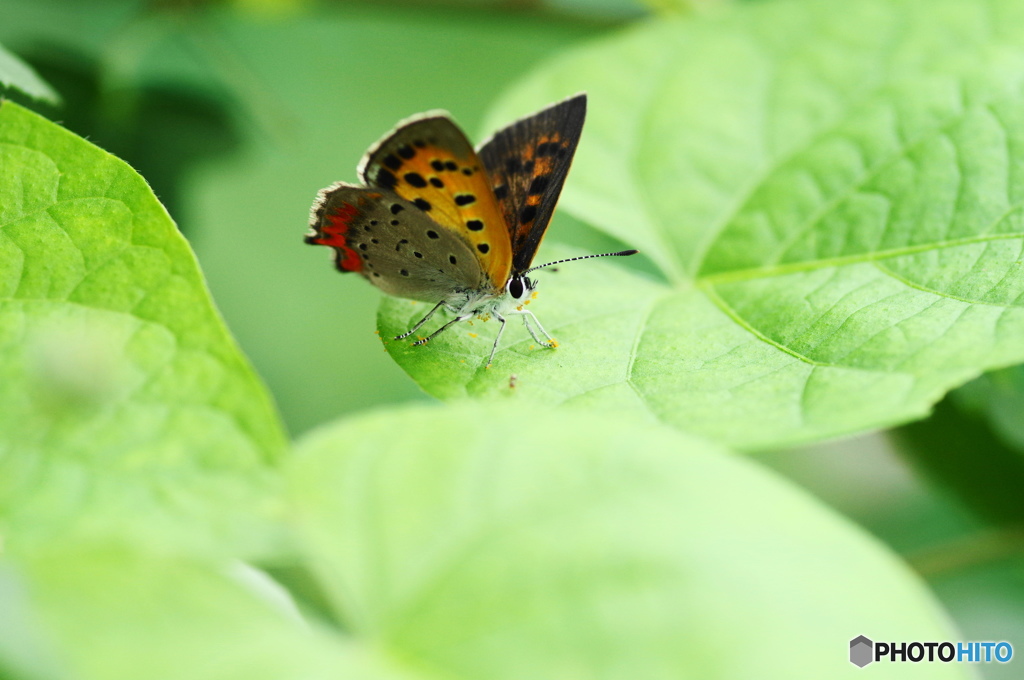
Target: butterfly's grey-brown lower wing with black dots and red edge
(396, 246)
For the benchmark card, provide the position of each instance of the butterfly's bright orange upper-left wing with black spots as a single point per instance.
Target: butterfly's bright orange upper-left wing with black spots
(429, 162)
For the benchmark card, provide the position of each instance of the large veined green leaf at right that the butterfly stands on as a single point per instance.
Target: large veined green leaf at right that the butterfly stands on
(834, 201)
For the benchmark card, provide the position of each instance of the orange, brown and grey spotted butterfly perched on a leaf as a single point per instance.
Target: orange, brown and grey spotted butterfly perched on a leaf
(439, 222)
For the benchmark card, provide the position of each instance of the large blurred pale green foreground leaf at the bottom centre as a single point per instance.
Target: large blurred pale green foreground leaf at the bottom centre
(486, 541)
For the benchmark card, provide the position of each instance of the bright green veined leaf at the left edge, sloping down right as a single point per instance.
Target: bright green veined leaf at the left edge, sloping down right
(125, 405)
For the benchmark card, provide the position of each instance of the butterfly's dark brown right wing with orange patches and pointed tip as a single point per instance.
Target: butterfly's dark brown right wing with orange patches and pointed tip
(528, 163)
